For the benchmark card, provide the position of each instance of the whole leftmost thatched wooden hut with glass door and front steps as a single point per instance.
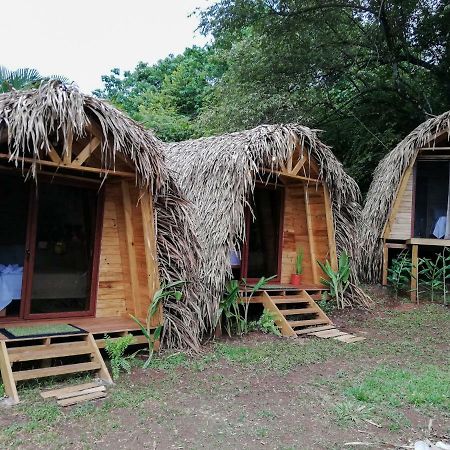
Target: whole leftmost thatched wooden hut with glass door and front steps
(81, 185)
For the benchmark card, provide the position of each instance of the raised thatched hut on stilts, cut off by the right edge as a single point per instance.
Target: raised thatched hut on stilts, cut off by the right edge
(388, 213)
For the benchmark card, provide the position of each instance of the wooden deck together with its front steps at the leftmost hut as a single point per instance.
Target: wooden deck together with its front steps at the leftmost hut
(45, 356)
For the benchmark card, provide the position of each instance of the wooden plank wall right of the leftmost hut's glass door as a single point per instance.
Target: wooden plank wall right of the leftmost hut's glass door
(115, 294)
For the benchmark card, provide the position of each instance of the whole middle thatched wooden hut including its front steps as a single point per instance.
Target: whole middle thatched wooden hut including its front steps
(261, 197)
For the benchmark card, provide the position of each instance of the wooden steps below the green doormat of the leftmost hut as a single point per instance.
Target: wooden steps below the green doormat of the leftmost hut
(32, 358)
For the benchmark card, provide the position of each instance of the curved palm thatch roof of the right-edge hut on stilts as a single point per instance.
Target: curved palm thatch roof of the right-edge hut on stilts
(383, 192)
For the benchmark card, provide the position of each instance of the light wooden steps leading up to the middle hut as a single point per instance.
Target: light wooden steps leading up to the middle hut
(295, 311)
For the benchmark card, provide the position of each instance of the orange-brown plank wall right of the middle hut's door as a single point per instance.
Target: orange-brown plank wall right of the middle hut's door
(296, 235)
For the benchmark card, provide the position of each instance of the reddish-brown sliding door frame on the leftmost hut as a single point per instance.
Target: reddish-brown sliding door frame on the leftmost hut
(25, 307)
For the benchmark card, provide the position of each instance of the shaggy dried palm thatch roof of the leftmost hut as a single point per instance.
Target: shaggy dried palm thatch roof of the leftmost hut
(31, 121)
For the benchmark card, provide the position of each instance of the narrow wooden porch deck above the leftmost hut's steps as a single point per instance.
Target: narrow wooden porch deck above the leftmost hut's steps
(98, 327)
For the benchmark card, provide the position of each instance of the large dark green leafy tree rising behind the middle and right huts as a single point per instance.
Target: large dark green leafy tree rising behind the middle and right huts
(365, 71)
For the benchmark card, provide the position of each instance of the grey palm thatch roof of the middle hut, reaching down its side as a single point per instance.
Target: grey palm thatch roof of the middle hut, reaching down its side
(218, 174)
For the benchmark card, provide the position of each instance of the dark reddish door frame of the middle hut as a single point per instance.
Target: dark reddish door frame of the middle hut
(245, 247)
